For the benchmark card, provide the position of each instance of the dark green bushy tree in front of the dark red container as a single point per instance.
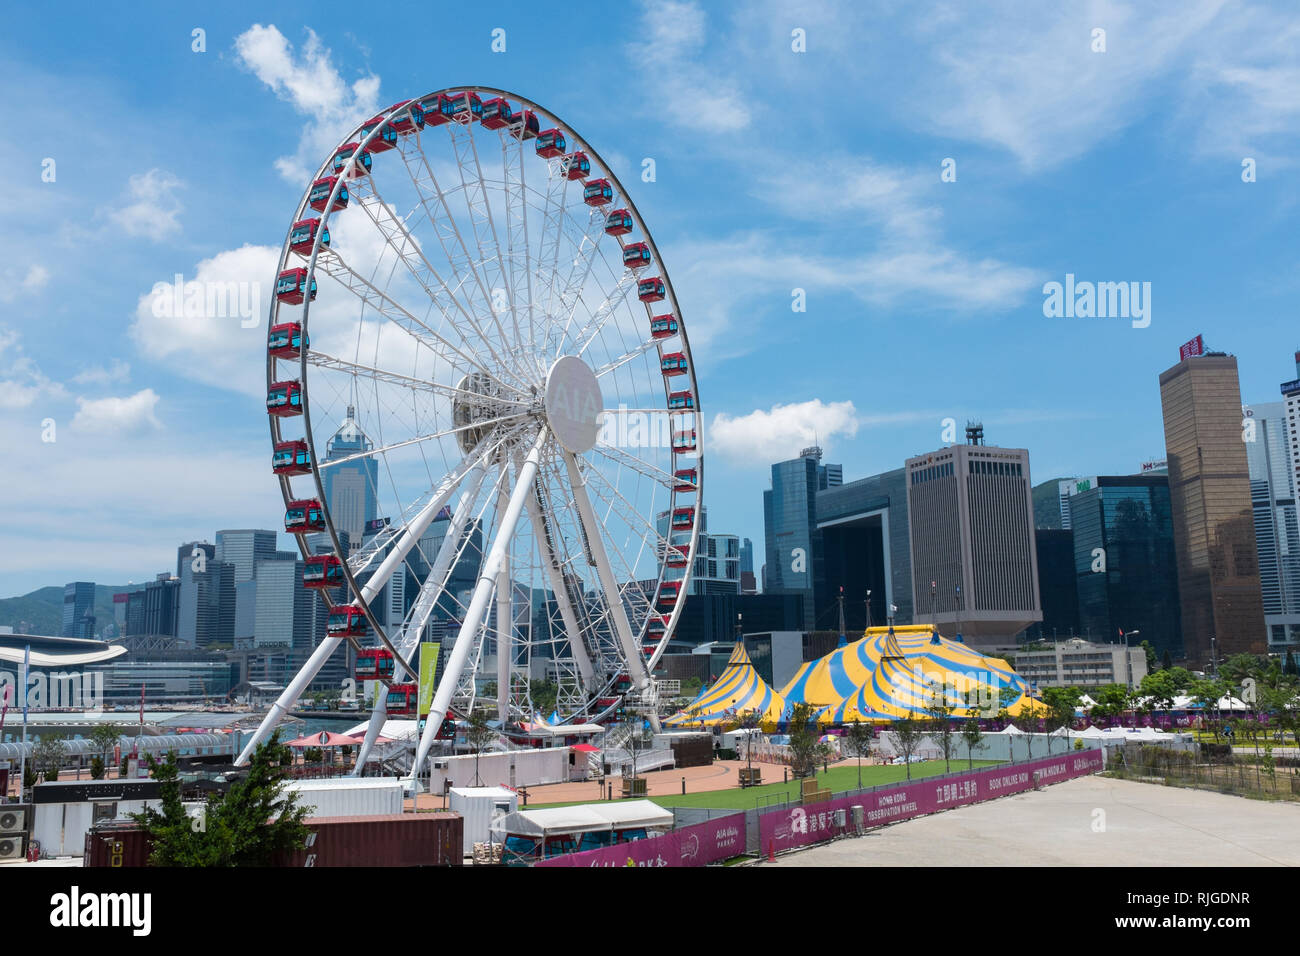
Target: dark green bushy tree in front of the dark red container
(250, 827)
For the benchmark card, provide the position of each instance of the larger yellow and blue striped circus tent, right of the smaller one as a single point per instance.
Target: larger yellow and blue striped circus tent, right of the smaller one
(891, 674)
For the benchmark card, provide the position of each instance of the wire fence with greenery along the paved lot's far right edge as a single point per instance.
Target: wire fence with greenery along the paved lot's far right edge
(1232, 773)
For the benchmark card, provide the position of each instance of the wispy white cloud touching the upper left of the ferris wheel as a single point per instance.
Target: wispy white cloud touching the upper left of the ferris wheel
(313, 85)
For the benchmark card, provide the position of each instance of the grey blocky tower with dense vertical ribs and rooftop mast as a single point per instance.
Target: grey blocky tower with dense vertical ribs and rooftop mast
(974, 560)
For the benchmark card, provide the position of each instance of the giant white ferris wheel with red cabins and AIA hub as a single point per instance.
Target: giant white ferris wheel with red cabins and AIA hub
(484, 413)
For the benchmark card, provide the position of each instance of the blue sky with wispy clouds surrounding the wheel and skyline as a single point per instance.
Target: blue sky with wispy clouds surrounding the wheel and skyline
(775, 171)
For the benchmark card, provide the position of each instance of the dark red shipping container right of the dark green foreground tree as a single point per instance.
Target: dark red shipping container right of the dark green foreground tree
(404, 840)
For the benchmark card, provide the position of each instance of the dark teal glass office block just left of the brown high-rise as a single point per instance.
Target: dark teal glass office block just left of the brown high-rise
(1124, 563)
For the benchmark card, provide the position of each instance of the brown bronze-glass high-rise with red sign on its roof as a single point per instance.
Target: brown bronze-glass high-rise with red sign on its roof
(1210, 488)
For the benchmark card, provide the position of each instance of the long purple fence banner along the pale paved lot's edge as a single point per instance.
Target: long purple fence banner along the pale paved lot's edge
(803, 827)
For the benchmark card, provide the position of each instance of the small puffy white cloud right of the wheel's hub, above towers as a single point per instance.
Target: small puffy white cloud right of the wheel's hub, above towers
(779, 434)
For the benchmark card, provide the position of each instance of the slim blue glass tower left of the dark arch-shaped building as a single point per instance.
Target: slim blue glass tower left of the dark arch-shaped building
(794, 543)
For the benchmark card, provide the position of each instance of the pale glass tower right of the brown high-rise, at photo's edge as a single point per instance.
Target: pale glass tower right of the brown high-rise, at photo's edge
(1277, 537)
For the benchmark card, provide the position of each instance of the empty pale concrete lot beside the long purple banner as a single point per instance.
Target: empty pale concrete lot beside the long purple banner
(1093, 821)
